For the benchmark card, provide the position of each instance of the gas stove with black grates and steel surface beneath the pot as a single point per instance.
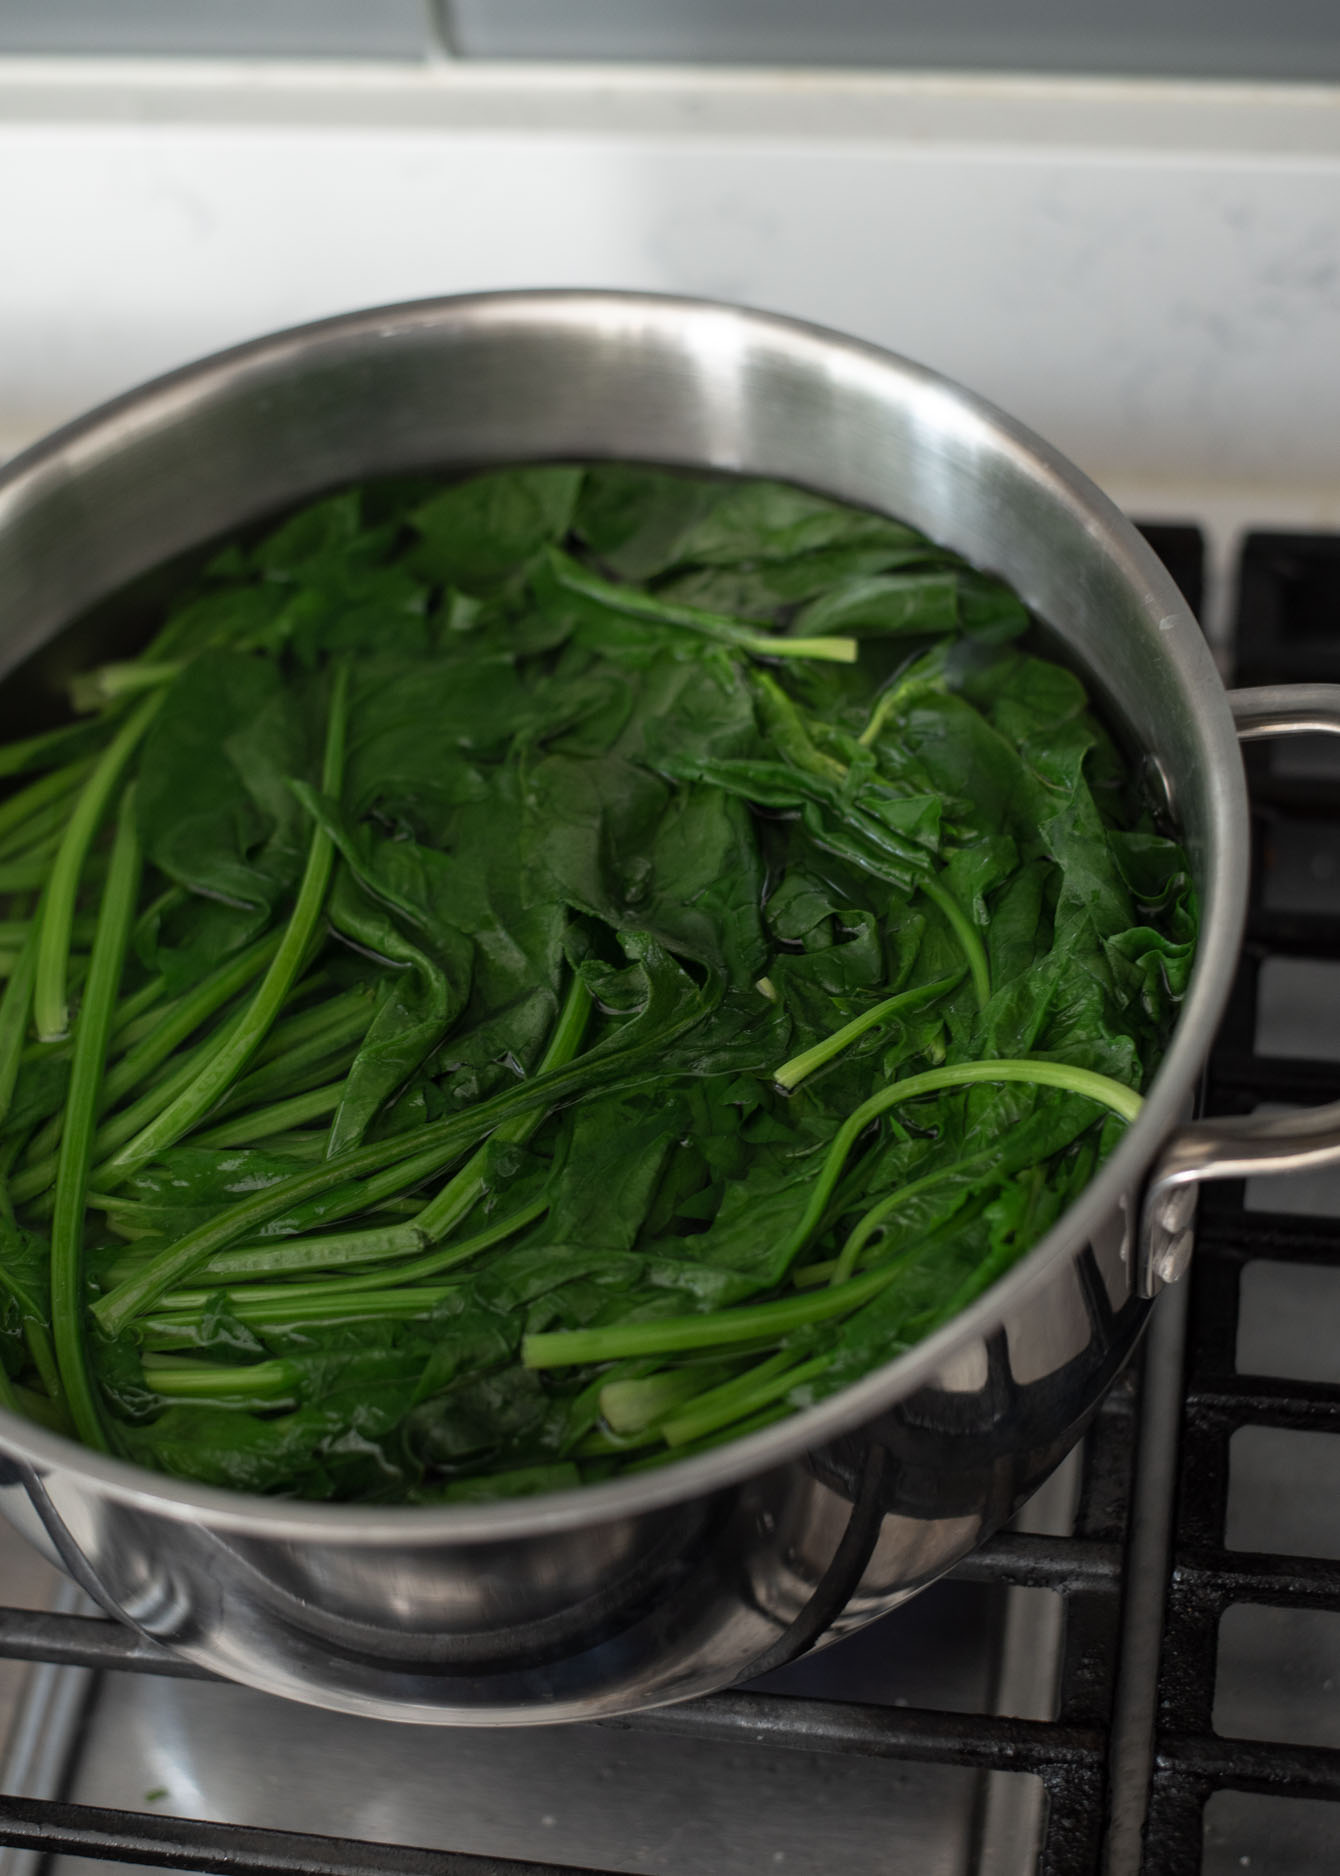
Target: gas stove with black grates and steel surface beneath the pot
(1138, 1678)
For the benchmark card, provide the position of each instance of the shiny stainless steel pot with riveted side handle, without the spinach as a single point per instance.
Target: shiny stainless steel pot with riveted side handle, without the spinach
(662, 1586)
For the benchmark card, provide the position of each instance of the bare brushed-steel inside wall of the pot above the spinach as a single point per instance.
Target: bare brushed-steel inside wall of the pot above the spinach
(99, 524)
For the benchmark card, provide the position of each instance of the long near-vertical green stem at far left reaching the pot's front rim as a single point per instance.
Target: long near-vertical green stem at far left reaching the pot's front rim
(93, 1033)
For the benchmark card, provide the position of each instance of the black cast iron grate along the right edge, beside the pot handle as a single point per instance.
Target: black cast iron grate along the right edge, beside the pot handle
(1287, 631)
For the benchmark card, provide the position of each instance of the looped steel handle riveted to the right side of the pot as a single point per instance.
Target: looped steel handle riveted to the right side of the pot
(1238, 1145)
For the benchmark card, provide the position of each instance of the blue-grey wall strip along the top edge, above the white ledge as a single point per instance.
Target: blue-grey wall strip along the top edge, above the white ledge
(1191, 38)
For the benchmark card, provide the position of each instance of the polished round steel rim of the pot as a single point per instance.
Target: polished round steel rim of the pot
(1114, 1190)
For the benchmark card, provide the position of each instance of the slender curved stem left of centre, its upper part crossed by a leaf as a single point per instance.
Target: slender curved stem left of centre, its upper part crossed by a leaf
(228, 1063)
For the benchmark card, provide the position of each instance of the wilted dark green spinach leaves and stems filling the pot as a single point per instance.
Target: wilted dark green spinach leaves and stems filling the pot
(538, 976)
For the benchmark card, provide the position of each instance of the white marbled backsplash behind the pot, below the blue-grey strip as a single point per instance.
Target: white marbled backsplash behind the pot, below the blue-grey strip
(1148, 273)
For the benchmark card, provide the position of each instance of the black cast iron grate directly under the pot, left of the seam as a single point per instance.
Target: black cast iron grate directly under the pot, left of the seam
(1069, 1755)
